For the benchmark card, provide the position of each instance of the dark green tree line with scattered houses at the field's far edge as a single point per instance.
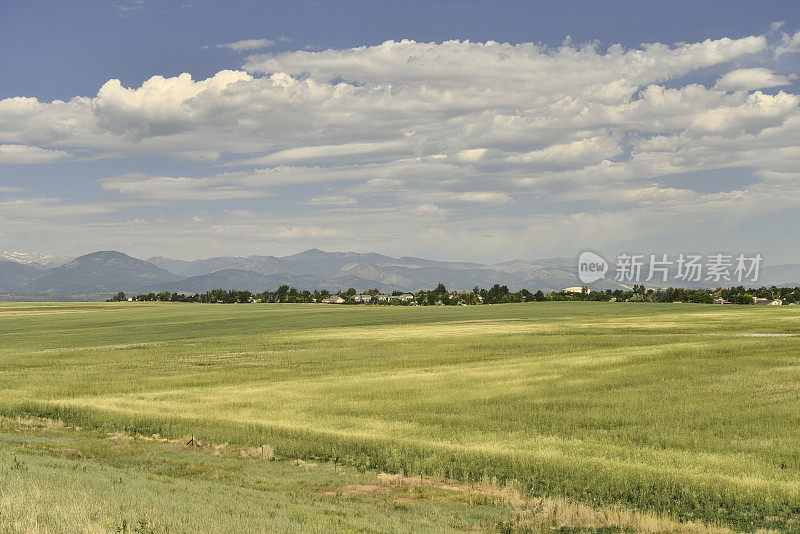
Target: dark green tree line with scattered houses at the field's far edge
(497, 294)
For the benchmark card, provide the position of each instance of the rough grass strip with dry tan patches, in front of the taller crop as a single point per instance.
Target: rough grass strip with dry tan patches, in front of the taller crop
(58, 479)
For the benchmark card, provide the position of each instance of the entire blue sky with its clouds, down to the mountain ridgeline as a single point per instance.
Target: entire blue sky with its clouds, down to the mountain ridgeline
(474, 131)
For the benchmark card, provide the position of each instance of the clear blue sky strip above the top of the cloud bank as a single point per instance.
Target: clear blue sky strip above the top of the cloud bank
(62, 49)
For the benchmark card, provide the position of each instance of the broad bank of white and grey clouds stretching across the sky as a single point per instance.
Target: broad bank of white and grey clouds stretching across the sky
(453, 132)
